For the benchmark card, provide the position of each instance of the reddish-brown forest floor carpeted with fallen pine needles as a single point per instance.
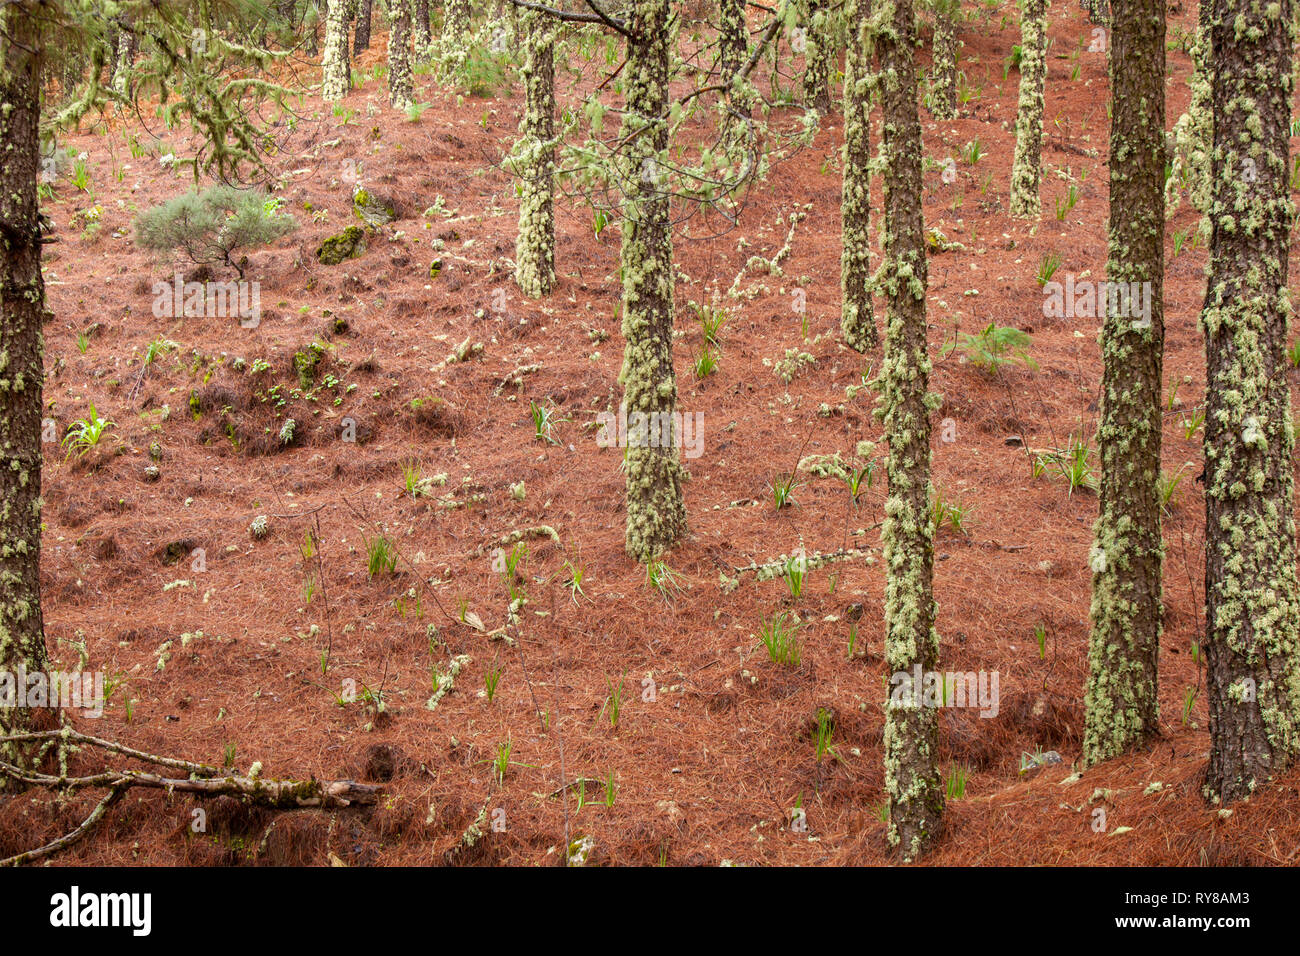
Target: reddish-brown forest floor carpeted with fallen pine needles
(712, 769)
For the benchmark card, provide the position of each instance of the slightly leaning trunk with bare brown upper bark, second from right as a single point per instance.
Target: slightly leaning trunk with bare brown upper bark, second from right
(1121, 704)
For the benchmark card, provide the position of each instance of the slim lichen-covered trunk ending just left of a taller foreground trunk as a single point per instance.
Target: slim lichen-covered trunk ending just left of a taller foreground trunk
(857, 319)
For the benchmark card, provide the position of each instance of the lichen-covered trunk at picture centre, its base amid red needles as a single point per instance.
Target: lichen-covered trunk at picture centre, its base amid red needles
(657, 514)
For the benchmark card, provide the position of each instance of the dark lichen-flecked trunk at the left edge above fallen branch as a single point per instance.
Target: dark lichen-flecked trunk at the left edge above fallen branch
(23, 305)
